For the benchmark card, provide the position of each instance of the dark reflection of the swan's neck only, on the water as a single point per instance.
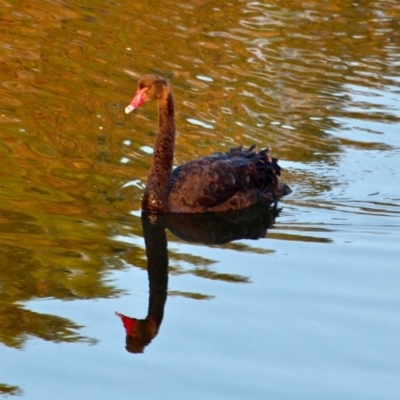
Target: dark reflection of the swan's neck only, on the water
(157, 267)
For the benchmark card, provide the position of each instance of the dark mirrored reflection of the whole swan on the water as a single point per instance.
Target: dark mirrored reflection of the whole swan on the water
(210, 229)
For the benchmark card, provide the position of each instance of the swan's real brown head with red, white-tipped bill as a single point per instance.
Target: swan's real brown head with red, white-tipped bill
(150, 87)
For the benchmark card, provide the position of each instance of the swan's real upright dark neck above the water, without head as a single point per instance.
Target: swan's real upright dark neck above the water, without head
(155, 196)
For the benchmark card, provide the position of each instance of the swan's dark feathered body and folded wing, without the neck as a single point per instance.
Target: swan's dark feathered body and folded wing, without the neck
(222, 182)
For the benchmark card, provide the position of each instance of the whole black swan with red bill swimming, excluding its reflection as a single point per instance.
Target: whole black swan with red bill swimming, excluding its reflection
(220, 182)
